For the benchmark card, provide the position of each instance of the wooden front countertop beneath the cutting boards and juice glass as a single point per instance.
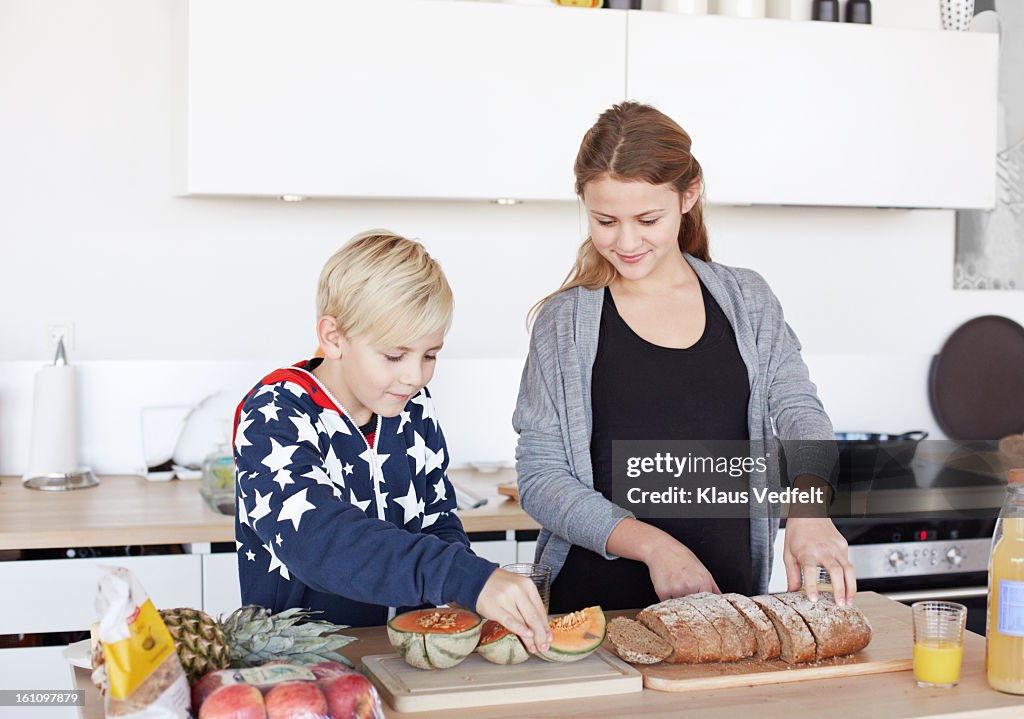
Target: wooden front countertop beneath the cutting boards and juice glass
(892, 696)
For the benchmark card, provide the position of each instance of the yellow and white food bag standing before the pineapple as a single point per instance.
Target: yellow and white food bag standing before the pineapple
(144, 675)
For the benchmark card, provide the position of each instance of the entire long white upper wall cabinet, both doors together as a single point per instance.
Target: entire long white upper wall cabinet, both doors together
(478, 101)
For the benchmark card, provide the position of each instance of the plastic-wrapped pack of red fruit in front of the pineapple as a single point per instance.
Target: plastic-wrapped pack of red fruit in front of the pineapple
(324, 691)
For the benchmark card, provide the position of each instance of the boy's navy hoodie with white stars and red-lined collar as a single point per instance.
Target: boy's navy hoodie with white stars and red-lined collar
(330, 520)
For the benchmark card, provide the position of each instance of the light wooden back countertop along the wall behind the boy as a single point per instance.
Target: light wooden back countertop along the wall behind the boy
(131, 511)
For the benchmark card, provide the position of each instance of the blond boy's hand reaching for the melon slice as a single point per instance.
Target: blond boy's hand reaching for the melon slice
(515, 603)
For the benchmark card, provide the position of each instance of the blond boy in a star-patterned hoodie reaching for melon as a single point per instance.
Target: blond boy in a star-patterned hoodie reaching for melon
(344, 501)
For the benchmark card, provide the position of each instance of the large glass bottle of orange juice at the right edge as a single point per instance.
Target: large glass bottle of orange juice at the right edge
(1005, 625)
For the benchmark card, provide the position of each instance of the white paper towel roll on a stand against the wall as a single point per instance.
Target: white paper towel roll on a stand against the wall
(54, 447)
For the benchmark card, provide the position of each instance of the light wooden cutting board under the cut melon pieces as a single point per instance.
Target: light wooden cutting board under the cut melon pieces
(477, 683)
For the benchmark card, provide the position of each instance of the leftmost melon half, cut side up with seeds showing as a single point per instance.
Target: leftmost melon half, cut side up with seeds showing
(435, 639)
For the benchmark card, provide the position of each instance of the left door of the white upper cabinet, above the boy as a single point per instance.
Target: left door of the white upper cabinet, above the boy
(390, 99)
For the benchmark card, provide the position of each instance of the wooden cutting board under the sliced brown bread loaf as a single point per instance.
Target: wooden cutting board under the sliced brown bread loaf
(891, 651)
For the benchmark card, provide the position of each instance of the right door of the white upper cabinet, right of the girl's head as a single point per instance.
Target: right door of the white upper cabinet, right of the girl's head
(794, 113)
